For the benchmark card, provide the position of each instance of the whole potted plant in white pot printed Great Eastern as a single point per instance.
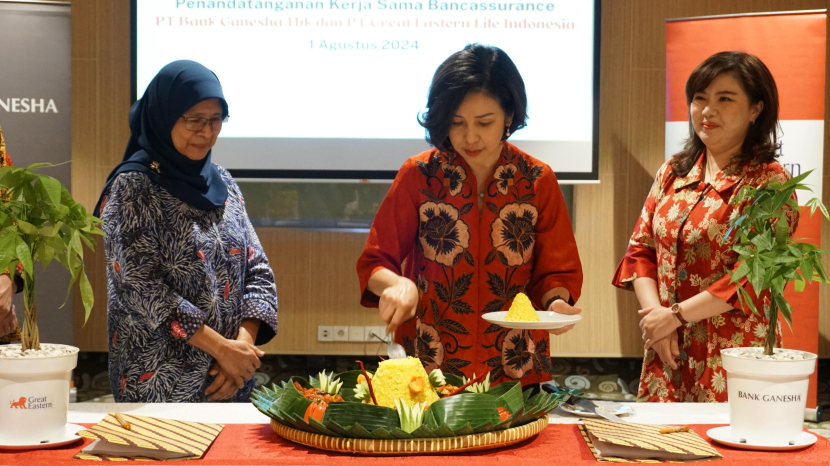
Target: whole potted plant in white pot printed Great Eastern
(39, 222)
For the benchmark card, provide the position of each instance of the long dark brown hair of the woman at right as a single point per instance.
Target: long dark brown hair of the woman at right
(761, 141)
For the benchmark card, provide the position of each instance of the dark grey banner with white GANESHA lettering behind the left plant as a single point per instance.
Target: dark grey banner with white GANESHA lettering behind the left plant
(35, 96)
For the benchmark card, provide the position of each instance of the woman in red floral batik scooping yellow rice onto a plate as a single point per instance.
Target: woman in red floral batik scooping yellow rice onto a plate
(475, 221)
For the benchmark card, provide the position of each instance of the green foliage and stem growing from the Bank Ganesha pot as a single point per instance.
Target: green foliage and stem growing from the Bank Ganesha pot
(769, 258)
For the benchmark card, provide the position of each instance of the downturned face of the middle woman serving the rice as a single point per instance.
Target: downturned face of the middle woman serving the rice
(477, 128)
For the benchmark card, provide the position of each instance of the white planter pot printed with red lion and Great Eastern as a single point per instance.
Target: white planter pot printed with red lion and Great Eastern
(34, 397)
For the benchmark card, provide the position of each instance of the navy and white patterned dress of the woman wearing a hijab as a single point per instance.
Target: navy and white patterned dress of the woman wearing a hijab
(170, 269)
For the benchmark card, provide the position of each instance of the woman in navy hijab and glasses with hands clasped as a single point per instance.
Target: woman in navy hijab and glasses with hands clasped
(190, 291)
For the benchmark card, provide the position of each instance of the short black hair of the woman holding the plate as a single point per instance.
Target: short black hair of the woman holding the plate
(476, 68)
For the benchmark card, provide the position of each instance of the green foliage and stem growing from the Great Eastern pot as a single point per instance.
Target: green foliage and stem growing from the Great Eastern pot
(40, 221)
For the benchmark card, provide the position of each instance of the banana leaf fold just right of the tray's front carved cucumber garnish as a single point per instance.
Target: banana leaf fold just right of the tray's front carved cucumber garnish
(456, 411)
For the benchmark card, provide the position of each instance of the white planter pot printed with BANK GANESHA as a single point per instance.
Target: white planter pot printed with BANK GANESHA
(767, 397)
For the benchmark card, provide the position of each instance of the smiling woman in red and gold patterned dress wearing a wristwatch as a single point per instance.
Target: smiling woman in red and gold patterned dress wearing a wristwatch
(677, 261)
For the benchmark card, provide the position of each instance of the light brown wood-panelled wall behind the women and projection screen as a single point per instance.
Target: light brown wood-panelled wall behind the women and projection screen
(315, 271)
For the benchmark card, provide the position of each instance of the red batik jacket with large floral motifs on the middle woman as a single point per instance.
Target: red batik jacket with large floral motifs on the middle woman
(468, 262)
